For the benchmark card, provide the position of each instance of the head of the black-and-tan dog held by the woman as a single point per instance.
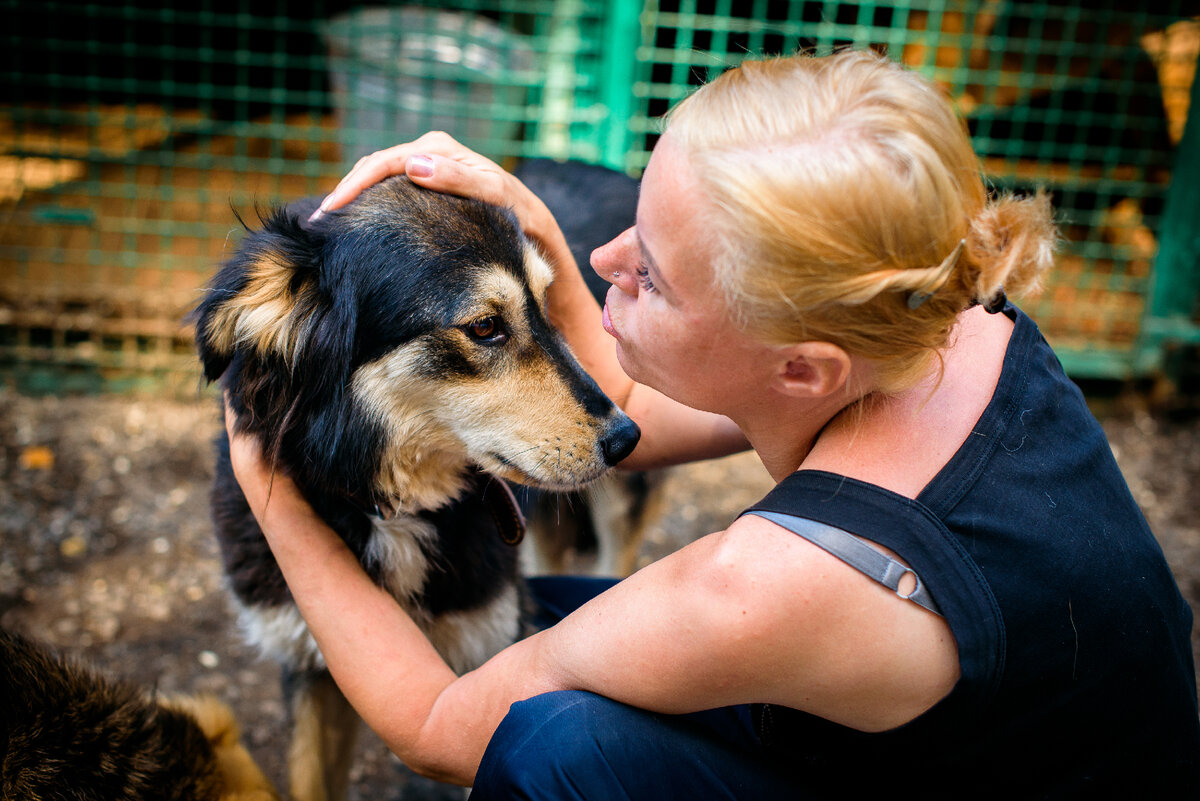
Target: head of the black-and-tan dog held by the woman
(401, 339)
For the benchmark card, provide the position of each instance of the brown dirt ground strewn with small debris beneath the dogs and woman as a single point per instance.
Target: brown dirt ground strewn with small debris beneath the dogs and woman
(106, 549)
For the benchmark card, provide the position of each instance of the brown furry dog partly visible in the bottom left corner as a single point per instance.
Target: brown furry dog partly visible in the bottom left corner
(70, 733)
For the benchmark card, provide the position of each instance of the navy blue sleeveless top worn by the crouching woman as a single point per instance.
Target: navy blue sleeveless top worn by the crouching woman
(1077, 671)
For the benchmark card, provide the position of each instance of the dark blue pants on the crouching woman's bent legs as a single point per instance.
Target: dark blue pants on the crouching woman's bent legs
(577, 745)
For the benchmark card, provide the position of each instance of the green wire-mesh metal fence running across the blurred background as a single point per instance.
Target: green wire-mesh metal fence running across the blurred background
(129, 130)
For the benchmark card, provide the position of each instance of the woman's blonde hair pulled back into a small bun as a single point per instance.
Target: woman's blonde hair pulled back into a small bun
(841, 190)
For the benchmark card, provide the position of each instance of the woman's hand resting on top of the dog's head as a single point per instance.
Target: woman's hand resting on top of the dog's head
(439, 162)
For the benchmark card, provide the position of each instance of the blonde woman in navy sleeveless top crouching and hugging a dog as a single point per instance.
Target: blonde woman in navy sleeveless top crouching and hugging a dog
(815, 272)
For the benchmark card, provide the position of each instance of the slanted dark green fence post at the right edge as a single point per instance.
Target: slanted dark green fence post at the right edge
(1175, 286)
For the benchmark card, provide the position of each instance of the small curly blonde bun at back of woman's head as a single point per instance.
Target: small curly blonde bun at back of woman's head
(1010, 246)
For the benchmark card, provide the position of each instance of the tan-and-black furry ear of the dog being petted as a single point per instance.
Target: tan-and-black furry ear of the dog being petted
(266, 298)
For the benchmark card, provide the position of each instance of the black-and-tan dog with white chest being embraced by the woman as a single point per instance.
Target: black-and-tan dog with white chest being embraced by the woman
(397, 362)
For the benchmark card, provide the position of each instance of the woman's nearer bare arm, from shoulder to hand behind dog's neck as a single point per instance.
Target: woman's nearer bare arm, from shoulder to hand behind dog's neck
(751, 615)
